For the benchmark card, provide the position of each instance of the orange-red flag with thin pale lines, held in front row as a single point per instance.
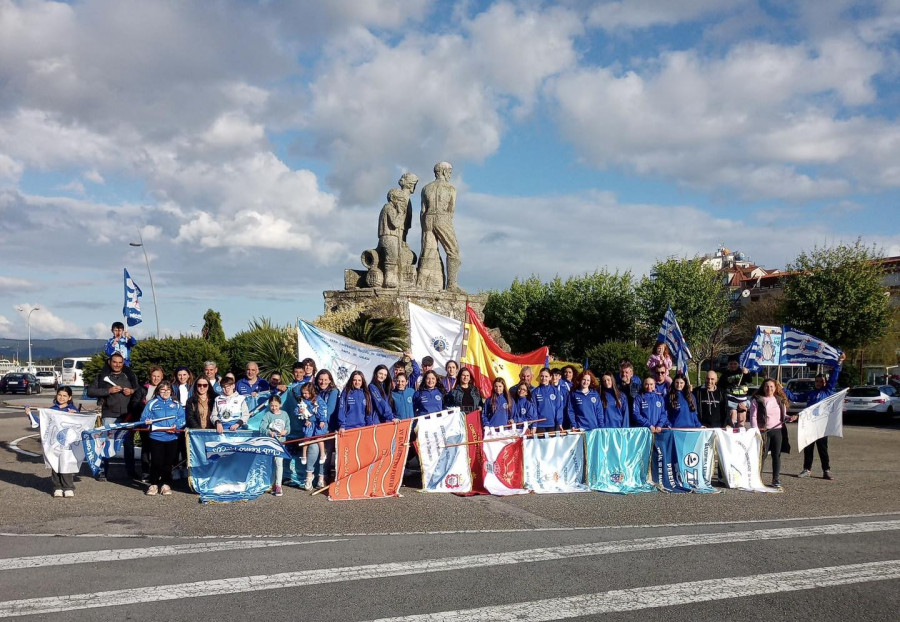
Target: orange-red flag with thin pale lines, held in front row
(370, 461)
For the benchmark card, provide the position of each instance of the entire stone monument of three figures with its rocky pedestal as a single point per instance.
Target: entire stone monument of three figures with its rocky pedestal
(393, 277)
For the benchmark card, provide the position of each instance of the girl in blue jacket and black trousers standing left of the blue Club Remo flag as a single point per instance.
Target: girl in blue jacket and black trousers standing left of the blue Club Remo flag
(163, 438)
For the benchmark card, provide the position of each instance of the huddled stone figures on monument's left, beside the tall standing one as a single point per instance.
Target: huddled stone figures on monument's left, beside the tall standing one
(392, 263)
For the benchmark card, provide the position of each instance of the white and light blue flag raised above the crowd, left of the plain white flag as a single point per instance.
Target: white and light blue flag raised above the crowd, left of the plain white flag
(340, 355)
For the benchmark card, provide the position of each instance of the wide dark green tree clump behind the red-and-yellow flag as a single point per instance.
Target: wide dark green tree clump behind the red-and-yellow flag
(568, 316)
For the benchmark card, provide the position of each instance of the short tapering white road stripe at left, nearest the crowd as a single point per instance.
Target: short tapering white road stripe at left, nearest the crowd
(116, 555)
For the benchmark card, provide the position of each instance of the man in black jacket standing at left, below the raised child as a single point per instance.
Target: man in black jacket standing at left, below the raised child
(119, 395)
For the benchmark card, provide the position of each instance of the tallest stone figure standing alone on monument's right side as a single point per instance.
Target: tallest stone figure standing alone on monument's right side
(438, 205)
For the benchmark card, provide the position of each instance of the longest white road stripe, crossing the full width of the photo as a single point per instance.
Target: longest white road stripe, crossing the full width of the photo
(255, 583)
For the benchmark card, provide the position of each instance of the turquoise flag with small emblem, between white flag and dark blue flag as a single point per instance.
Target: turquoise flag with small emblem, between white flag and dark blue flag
(618, 459)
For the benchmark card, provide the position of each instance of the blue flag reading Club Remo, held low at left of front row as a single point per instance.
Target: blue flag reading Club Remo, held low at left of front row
(228, 476)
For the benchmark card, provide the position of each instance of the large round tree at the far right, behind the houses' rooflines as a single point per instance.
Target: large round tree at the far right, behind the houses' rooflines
(838, 295)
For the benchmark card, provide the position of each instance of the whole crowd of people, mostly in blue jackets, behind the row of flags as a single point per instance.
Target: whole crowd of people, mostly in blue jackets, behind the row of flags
(561, 399)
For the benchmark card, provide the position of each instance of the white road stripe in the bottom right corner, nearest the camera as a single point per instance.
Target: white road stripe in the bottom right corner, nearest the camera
(667, 595)
